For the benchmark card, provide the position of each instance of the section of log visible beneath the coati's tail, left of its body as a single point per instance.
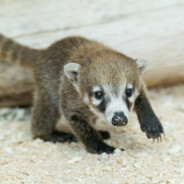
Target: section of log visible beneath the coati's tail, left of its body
(16, 86)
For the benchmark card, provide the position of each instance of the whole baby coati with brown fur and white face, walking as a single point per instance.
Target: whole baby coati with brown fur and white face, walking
(82, 80)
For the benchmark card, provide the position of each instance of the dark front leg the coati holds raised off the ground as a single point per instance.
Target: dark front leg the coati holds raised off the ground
(148, 120)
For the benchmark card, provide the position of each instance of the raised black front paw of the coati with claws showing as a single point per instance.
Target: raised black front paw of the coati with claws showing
(153, 129)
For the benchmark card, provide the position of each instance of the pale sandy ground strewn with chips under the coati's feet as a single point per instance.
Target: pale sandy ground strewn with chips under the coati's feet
(23, 160)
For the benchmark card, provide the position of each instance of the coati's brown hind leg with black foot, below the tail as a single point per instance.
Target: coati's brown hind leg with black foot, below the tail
(45, 115)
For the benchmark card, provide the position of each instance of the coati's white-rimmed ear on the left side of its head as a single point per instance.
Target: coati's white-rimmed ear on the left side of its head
(71, 72)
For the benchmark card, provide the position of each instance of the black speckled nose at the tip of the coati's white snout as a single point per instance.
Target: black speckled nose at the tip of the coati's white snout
(119, 119)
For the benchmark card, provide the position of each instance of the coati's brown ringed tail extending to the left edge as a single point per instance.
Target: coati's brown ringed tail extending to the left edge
(16, 53)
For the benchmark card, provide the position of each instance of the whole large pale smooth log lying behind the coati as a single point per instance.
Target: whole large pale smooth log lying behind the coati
(141, 29)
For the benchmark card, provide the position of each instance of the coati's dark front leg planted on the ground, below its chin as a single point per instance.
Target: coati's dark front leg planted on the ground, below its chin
(89, 136)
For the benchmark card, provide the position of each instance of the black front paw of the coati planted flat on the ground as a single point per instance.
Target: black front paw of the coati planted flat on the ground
(98, 146)
